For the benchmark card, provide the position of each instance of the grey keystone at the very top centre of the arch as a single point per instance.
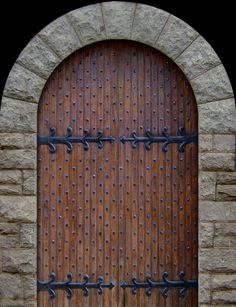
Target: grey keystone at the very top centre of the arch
(118, 19)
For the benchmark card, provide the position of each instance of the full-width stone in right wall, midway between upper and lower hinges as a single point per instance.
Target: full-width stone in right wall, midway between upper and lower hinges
(217, 211)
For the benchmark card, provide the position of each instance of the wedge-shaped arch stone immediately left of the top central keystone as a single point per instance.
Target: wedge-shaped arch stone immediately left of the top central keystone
(88, 23)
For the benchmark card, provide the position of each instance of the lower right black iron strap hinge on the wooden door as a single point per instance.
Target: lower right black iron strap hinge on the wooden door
(167, 284)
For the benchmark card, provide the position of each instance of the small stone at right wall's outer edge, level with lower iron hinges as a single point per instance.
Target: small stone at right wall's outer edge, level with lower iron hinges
(222, 281)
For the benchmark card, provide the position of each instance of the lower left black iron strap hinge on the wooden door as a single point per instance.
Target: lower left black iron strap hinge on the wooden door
(68, 285)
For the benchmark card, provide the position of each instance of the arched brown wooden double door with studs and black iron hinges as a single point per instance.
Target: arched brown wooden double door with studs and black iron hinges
(117, 166)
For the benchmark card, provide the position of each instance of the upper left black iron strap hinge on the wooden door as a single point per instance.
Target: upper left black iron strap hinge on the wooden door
(69, 139)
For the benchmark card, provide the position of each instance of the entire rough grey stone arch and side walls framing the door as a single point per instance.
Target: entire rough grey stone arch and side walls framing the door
(217, 127)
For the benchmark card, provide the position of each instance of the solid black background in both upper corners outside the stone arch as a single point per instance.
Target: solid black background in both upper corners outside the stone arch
(21, 20)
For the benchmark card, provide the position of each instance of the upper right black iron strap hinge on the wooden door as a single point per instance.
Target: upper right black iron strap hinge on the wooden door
(182, 139)
